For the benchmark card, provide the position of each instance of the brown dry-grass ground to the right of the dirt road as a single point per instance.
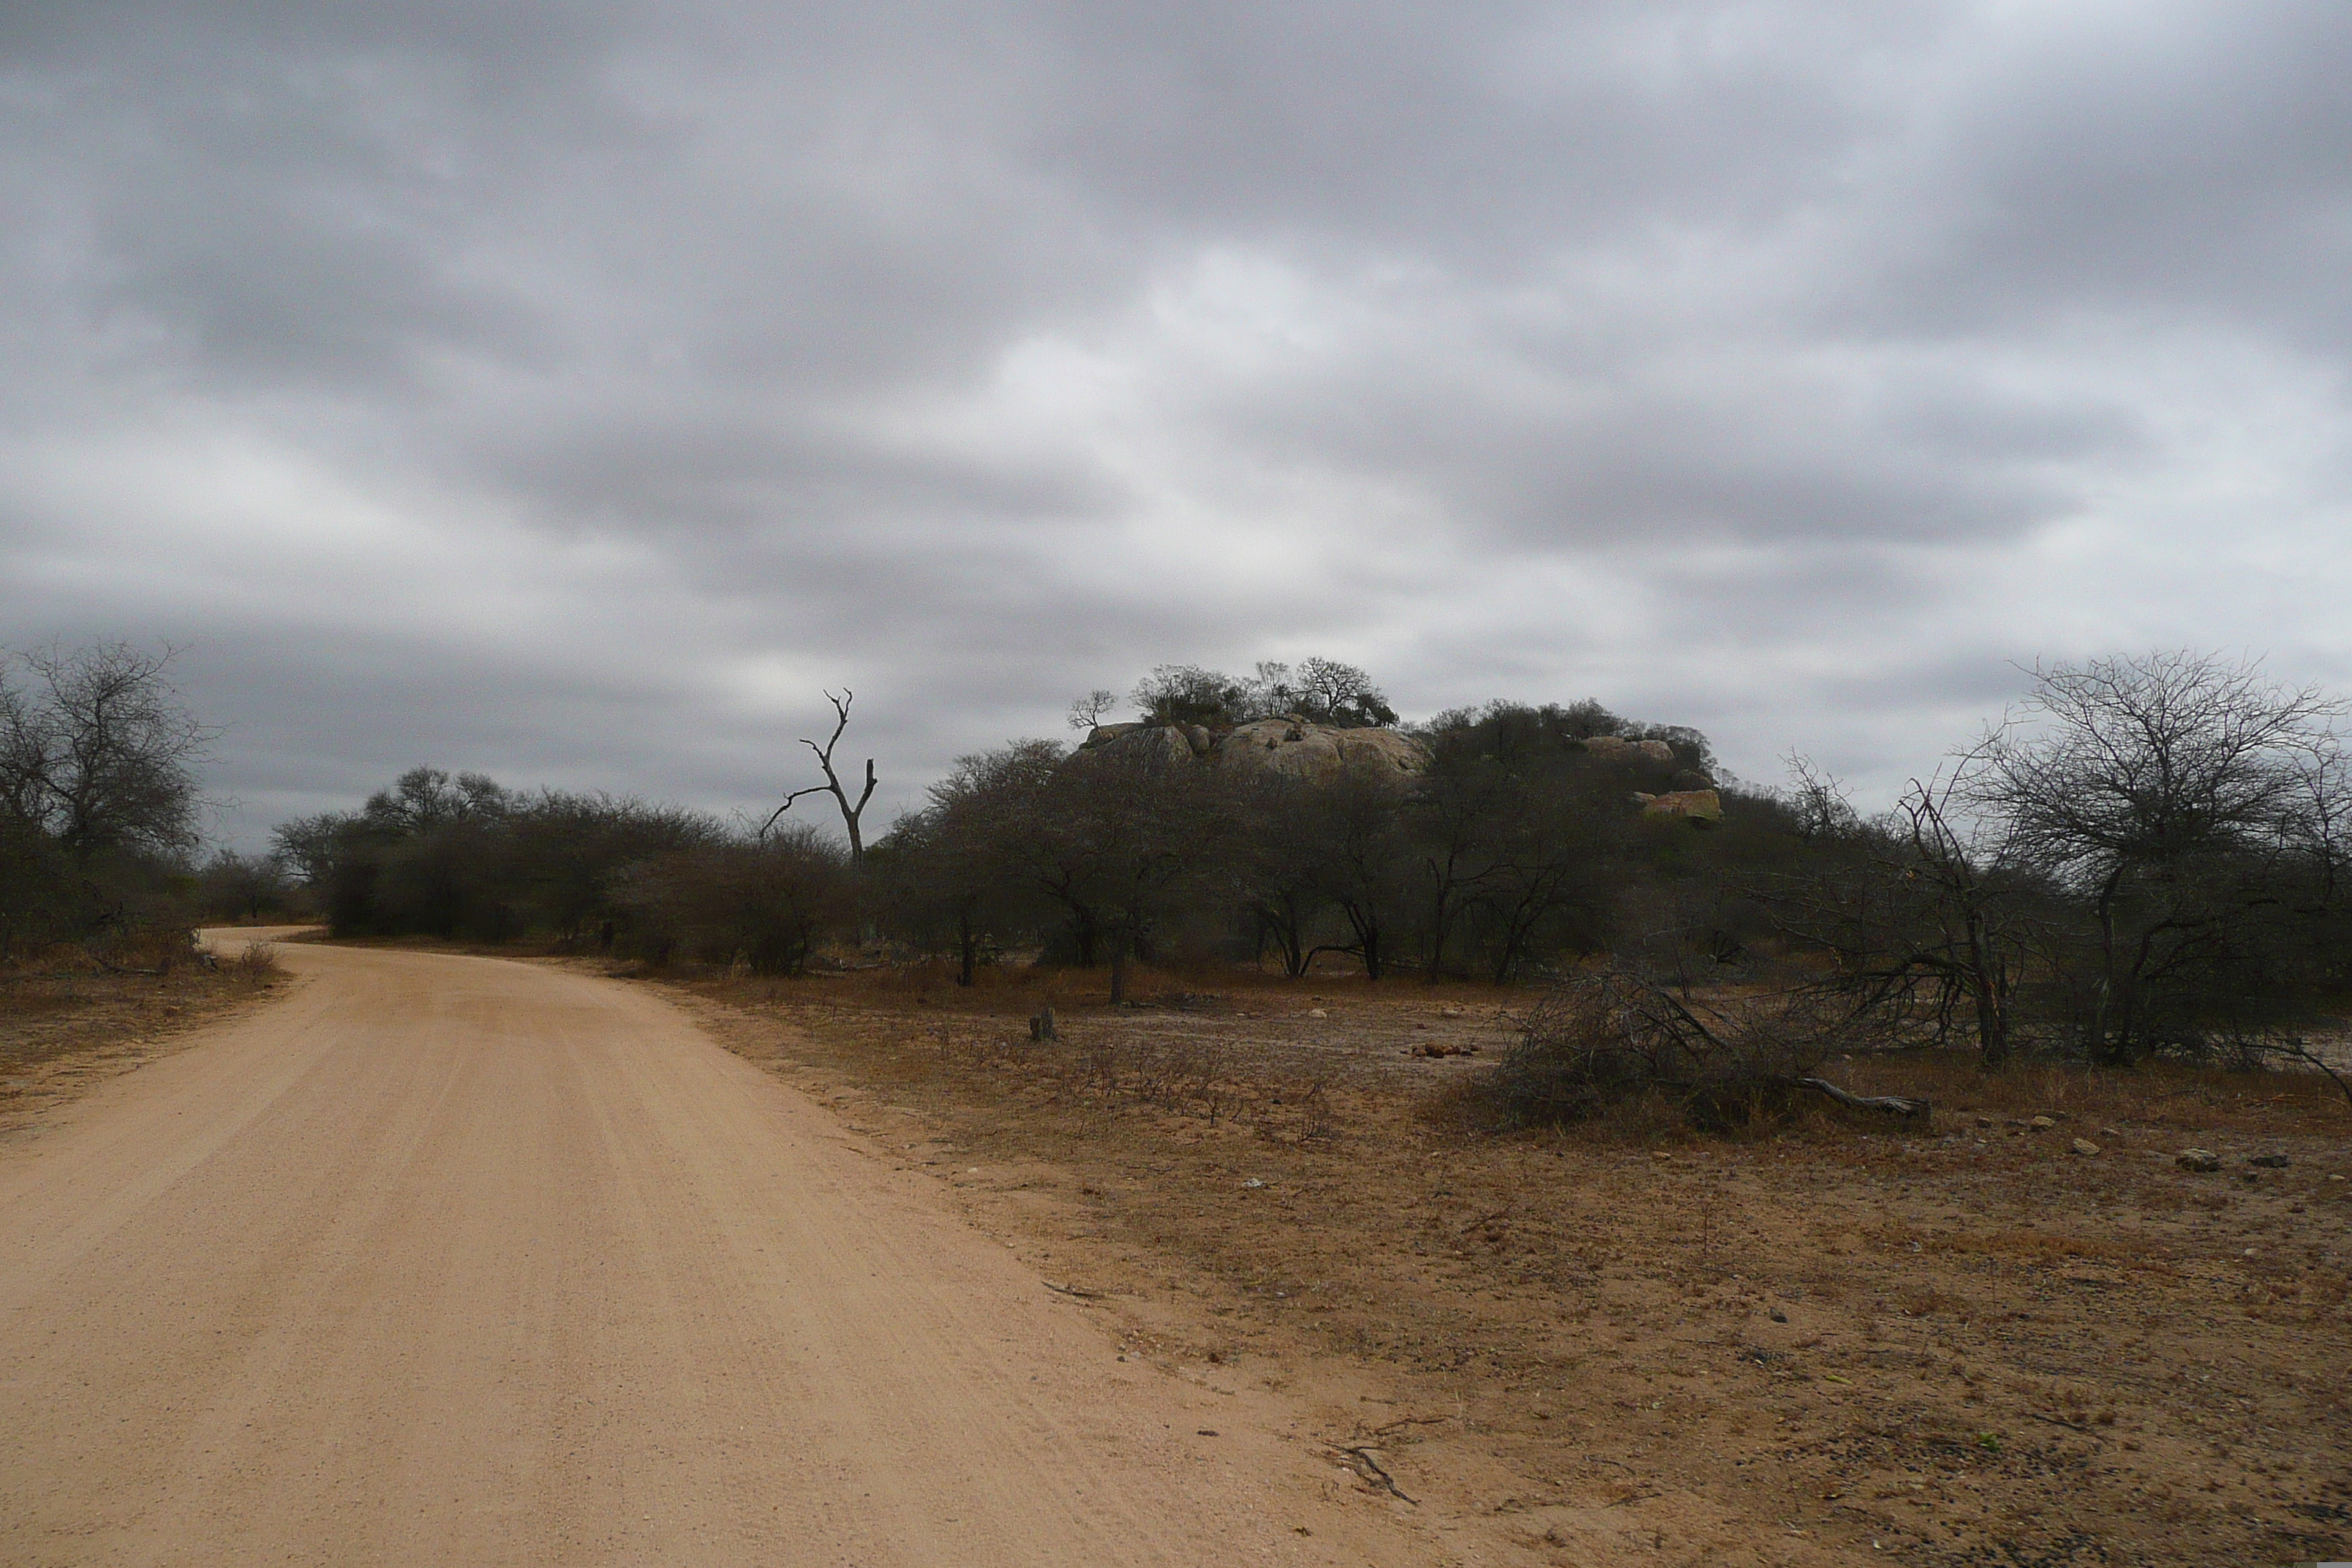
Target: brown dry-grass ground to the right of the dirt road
(1815, 1343)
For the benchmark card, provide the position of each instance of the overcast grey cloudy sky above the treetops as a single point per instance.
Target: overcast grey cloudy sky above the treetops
(575, 391)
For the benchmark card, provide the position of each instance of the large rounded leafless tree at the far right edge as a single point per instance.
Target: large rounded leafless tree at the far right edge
(2196, 817)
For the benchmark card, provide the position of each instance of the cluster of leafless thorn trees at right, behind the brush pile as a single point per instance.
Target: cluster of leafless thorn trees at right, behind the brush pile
(2144, 859)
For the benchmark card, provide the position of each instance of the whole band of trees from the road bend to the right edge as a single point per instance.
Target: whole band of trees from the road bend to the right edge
(2144, 859)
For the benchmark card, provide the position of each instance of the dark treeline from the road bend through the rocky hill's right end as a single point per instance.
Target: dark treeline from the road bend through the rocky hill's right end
(1518, 847)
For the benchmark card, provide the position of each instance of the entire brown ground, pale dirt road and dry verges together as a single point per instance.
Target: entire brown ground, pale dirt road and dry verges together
(448, 1261)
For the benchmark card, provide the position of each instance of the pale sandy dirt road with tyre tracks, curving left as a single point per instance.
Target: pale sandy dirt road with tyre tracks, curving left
(457, 1261)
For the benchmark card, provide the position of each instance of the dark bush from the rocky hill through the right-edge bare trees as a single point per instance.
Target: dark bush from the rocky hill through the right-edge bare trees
(2144, 859)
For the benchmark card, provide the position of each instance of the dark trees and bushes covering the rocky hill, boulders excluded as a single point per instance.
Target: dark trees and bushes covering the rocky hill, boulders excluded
(1518, 850)
